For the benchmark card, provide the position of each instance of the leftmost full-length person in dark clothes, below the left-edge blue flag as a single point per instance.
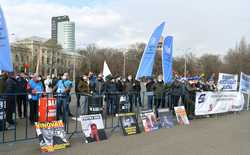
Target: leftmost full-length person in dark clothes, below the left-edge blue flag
(11, 90)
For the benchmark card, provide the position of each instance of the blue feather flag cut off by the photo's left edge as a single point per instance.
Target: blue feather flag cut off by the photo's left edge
(5, 53)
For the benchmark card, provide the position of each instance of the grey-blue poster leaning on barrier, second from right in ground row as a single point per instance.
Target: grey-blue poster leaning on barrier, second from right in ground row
(166, 118)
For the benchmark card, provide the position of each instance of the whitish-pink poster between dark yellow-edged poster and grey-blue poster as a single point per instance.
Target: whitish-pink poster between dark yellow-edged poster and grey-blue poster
(149, 121)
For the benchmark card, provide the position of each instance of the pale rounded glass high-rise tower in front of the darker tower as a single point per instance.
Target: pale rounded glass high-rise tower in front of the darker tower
(66, 36)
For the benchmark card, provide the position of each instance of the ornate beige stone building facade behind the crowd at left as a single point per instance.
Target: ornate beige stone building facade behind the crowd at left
(34, 54)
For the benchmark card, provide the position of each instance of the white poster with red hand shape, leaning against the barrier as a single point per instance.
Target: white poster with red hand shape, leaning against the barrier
(93, 128)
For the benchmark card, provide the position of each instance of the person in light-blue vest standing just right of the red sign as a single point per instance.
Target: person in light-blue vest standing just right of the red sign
(63, 88)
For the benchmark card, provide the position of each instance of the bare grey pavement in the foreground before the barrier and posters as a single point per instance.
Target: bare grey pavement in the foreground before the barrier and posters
(227, 134)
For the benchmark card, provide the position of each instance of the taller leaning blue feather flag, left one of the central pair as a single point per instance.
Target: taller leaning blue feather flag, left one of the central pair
(148, 57)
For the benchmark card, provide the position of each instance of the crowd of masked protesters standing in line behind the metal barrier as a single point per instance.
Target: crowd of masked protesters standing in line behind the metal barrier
(23, 91)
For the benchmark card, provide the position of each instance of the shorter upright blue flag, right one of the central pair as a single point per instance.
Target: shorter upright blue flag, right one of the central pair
(167, 59)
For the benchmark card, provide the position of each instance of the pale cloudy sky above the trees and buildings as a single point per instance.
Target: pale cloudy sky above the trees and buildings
(209, 26)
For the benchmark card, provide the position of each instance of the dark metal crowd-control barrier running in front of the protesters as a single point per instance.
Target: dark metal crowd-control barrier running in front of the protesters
(109, 105)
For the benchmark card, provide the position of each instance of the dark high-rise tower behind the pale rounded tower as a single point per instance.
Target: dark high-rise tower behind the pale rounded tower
(54, 25)
